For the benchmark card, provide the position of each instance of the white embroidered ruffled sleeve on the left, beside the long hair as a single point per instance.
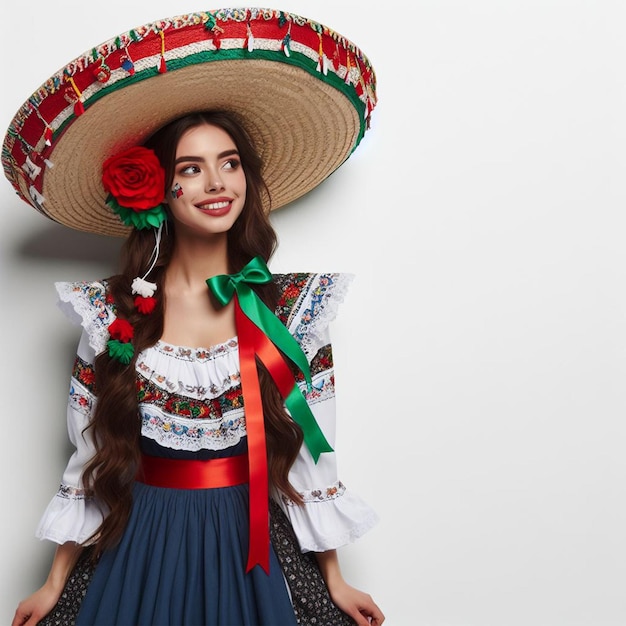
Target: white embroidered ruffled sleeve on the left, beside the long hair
(72, 515)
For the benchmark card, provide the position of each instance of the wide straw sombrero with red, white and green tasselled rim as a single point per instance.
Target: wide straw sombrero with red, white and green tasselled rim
(304, 93)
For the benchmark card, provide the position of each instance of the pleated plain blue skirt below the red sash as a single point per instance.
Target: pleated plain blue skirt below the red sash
(181, 562)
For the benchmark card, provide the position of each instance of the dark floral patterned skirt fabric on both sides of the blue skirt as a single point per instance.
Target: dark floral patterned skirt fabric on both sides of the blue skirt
(309, 594)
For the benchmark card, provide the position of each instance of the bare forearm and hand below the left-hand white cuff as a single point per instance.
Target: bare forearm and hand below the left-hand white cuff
(31, 610)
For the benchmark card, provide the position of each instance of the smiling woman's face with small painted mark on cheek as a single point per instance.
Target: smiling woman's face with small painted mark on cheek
(208, 192)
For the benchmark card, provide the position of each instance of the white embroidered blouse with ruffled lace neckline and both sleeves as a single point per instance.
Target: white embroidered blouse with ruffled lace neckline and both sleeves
(190, 400)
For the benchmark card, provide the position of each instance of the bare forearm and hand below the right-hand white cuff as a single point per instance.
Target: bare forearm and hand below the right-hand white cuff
(357, 604)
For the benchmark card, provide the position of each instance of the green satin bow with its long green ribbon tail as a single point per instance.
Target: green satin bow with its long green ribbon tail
(223, 287)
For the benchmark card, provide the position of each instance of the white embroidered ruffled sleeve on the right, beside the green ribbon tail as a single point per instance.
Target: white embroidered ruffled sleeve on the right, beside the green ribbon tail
(332, 515)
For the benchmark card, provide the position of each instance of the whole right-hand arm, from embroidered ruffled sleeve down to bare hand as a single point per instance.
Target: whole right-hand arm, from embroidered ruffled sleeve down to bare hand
(331, 516)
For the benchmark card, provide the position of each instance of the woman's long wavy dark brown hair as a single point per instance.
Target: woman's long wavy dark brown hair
(116, 424)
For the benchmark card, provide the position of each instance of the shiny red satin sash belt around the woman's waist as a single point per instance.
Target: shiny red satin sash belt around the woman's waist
(193, 474)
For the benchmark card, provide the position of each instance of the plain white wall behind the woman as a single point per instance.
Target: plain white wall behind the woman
(481, 352)
